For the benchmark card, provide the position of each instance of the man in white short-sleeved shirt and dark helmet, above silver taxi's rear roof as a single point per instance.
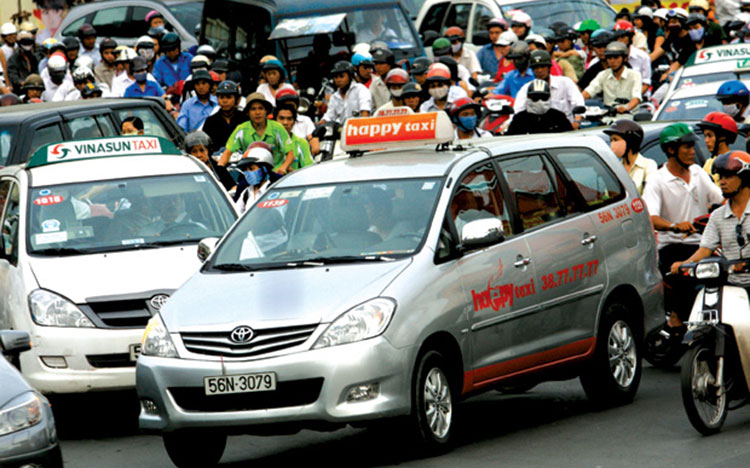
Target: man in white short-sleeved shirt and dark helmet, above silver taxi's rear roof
(617, 82)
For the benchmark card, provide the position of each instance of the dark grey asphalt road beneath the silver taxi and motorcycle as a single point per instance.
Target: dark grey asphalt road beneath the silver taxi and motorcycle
(552, 425)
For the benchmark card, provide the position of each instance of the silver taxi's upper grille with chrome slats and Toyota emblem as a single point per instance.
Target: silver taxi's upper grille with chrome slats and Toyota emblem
(264, 341)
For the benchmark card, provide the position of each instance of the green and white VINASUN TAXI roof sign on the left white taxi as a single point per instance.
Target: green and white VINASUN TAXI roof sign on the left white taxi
(101, 148)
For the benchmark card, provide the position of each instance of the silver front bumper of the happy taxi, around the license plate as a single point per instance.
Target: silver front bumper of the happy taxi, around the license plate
(175, 386)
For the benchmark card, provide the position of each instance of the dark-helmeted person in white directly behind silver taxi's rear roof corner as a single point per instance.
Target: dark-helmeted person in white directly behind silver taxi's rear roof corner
(625, 138)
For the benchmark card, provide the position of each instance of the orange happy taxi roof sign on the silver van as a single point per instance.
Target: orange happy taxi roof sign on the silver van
(396, 131)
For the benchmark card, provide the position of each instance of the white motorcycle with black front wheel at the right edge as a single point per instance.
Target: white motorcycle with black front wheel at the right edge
(715, 376)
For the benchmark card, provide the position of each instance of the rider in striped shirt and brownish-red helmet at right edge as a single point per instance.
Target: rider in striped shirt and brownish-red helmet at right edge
(729, 225)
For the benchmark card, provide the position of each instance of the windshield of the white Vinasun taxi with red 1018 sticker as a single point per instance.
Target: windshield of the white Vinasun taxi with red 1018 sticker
(104, 216)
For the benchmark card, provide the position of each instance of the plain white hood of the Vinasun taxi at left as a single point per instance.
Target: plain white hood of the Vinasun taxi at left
(116, 273)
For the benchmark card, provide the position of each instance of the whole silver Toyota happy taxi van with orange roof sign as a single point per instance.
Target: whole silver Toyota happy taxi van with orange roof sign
(395, 284)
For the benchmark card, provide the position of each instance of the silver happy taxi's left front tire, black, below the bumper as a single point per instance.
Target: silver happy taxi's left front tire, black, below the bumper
(189, 449)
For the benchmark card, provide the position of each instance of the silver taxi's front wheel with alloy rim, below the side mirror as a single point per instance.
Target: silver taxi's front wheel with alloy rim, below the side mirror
(433, 403)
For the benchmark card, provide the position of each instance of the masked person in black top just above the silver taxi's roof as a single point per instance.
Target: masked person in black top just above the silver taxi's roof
(539, 116)
